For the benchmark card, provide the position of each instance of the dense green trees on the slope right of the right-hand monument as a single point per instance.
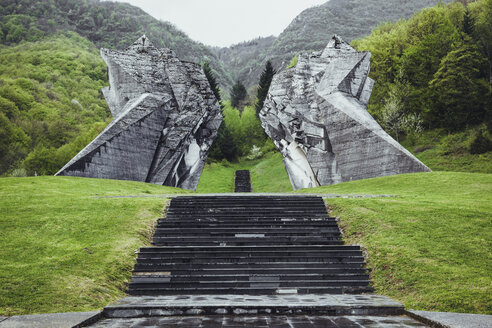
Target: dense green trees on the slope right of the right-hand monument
(433, 72)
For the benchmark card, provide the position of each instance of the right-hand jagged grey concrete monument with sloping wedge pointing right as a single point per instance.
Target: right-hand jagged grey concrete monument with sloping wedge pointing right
(316, 115)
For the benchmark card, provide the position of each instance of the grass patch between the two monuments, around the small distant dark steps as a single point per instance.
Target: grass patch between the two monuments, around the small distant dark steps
(267, 174)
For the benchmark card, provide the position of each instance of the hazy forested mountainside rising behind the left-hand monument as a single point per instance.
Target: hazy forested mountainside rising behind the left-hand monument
(107, 24)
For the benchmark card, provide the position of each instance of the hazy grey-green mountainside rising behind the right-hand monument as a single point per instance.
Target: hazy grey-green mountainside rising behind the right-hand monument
(311, 30)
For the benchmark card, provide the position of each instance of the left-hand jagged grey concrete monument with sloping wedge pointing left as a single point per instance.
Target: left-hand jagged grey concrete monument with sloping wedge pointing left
(165, 120)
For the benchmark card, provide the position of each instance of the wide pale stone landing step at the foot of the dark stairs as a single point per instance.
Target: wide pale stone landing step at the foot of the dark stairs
(272, 305)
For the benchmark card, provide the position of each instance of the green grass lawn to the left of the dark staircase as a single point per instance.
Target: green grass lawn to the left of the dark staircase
(62, 249)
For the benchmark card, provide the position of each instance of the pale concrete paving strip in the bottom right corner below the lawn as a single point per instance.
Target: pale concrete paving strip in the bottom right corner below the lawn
(453, 320)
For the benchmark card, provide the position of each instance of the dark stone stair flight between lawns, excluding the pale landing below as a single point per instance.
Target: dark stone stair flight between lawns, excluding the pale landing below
(248, 245)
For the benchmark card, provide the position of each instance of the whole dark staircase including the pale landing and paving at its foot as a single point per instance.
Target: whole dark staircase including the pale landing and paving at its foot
(250, 261)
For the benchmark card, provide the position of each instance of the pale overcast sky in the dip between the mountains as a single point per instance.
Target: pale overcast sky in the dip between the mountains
(226, 22)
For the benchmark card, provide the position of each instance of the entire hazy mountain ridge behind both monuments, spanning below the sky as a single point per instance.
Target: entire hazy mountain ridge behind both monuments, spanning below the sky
(116, 25)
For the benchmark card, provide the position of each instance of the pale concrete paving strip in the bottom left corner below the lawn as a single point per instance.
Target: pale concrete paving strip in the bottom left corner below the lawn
(50, 320)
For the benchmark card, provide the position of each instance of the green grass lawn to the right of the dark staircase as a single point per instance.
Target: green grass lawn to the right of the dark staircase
(429, 247)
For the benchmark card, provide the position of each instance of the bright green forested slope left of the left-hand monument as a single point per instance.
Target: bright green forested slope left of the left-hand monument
(50, 100)
